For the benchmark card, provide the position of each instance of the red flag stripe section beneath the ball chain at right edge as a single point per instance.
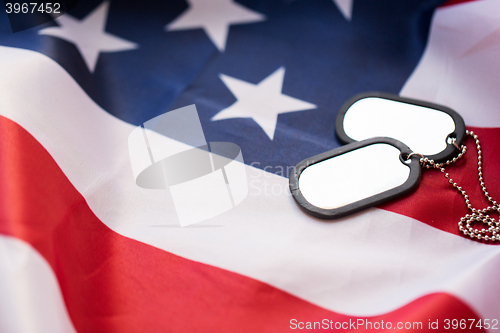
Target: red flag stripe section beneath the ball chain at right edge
(438, 204)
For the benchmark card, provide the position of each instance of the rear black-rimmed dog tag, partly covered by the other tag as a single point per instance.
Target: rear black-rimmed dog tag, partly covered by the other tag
(428, 129)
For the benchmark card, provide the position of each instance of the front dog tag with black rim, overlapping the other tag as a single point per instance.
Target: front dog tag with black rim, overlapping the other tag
(354, 177)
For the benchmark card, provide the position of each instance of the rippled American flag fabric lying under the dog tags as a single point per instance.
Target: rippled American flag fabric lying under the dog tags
(84, 249)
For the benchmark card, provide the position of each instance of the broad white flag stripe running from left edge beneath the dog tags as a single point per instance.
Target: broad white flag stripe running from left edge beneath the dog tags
(368, 264)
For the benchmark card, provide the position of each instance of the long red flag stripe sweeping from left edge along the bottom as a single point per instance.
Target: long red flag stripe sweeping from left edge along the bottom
(111, 283)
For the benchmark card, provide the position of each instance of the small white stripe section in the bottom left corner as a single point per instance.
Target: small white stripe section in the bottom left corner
(30, 298)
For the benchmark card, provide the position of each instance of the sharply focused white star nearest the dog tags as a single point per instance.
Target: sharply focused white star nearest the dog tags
(262, 102)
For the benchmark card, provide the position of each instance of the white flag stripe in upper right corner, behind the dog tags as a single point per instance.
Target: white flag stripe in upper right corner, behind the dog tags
(460, 66)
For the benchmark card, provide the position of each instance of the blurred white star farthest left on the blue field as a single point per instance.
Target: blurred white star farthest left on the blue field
(89, 35)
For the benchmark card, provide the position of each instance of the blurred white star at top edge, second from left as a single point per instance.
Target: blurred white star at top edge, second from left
(215, 17)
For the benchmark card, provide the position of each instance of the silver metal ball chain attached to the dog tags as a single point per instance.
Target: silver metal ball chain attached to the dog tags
(492, 232)
